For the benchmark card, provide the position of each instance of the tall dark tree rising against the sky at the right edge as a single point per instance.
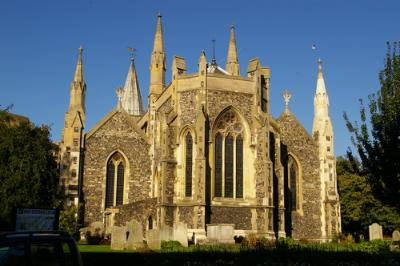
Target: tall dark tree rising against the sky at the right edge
(379, 147)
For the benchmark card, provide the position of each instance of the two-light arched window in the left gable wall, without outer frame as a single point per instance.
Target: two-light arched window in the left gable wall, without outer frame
(115, 180)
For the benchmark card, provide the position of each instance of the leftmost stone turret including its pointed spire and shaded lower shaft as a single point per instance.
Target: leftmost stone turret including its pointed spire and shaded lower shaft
(72, 136)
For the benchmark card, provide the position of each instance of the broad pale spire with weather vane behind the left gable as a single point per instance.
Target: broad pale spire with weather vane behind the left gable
(131, 100)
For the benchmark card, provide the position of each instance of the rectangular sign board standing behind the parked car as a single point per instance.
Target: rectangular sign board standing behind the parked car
(36, 219)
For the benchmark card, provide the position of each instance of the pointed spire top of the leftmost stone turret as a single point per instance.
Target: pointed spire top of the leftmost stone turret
(78, 89)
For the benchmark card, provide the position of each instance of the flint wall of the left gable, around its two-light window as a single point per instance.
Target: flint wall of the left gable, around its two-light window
(116, 134)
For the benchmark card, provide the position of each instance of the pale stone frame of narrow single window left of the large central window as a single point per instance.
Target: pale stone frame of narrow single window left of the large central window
(184, 132)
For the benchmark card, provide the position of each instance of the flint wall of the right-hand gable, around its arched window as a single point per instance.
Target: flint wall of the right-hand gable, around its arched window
(301, 144)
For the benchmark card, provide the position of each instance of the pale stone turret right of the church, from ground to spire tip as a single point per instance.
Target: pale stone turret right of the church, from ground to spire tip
(323, 134)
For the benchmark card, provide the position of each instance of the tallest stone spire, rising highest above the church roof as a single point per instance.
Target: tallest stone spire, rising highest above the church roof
(157, 64)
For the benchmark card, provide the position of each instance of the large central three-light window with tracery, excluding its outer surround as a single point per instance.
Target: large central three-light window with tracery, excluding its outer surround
(228, 163)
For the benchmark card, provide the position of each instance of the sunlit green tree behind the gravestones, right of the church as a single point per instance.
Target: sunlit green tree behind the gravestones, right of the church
(359, 207)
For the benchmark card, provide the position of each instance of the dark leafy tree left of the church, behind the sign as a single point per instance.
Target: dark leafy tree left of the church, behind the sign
(28, 170)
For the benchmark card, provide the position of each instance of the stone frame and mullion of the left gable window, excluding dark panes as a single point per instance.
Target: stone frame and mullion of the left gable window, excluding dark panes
(121, 159)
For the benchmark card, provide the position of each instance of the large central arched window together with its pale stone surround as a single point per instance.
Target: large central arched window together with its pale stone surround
(238, 177)
